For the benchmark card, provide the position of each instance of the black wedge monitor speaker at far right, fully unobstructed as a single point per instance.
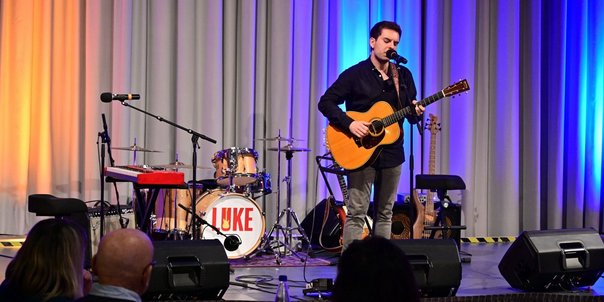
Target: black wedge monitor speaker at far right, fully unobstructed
(554, 260)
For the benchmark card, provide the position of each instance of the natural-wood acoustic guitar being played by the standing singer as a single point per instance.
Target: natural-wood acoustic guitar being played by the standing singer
(352, 153)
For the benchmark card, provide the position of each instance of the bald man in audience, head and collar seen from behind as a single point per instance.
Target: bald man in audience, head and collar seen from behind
(123, 266)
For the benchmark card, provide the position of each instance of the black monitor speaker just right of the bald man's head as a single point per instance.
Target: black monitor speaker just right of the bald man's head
(189, 269)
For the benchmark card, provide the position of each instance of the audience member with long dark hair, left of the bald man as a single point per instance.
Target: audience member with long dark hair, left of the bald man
(49, 266)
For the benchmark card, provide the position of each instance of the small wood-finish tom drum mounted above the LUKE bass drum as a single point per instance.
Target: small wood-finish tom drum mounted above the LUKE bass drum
(238, 163)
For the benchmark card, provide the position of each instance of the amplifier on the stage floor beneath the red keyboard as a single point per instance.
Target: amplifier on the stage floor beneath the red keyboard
(112, 222)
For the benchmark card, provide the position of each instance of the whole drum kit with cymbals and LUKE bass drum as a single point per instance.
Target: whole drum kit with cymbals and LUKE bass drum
(225, 207)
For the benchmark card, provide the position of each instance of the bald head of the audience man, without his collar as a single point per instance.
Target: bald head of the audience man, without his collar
(124, 259)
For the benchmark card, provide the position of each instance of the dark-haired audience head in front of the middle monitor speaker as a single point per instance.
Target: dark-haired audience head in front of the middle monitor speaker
(374, 269)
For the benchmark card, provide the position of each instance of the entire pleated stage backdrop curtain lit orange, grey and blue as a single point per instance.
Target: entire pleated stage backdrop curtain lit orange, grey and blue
(526, 139)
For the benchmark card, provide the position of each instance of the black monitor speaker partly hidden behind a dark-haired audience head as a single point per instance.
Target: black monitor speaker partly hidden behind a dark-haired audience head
(436, 265)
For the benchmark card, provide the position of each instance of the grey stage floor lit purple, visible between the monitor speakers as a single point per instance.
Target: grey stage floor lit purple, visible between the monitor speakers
(480, 276)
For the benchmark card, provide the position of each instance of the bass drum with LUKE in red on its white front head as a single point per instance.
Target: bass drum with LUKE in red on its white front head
(233, 214)
